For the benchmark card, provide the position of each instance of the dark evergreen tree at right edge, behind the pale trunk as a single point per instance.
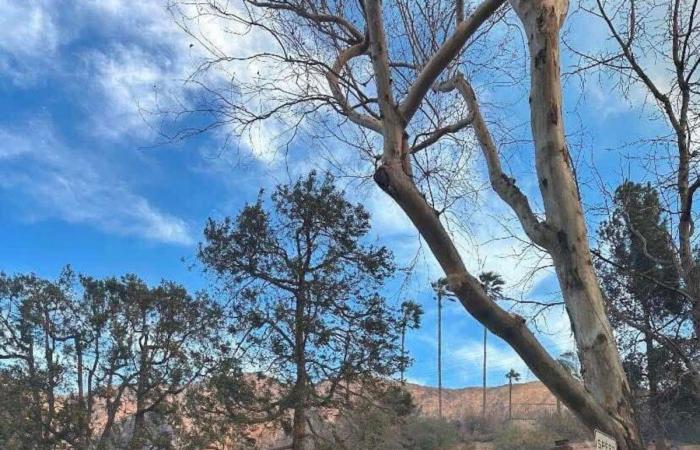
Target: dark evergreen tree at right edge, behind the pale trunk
(648, 308)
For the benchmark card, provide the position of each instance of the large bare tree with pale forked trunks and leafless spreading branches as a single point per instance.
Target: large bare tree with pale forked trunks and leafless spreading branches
(401, 72)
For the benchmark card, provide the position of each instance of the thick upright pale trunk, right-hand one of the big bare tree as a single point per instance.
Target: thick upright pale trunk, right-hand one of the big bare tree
(601, 366)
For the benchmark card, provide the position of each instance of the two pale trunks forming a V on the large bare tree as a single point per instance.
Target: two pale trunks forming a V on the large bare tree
(604, 402)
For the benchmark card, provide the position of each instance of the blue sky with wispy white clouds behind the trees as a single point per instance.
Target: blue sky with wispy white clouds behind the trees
(83, 183)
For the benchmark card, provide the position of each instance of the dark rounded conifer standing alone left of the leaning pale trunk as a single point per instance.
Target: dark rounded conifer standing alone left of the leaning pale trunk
(304, 290)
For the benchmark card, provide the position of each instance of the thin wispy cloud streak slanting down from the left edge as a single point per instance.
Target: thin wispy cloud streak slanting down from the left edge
(65, 184)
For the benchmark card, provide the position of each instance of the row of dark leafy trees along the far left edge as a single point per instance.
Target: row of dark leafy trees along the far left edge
(77, 347)
